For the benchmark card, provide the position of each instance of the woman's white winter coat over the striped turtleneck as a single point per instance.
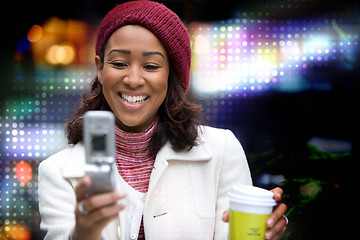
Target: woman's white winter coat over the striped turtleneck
(186, 198)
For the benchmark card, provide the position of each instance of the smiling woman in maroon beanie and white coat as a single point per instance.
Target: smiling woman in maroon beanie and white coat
(173, 174)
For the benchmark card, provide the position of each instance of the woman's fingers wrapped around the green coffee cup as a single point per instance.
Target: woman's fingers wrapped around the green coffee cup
(276, 222)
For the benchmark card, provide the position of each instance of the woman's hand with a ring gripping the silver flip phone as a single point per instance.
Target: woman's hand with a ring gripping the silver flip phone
(101, 208)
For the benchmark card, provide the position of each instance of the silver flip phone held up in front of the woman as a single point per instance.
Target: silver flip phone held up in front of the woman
(99, 141)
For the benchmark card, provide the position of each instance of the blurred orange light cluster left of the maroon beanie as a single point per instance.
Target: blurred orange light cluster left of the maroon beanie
(62, 42)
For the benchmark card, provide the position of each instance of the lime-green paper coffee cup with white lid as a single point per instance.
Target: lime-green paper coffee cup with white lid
(250, 207)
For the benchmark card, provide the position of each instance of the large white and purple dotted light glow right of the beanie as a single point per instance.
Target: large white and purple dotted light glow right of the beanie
(248, 55)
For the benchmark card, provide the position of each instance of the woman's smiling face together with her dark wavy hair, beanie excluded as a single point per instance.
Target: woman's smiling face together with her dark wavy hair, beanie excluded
(137, 82)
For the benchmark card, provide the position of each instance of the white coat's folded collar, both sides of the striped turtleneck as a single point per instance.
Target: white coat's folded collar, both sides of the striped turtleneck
(76, 158)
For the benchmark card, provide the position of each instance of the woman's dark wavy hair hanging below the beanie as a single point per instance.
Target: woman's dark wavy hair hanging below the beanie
(179, 118)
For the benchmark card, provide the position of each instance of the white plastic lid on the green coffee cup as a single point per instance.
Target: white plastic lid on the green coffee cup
(250, 195)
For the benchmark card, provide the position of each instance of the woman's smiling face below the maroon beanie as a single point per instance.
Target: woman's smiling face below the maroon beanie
(134, 76)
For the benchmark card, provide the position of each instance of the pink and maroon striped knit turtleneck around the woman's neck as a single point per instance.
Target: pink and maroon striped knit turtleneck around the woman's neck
(133, 159)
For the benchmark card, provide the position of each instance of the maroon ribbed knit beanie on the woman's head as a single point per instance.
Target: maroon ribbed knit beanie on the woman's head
(162, 22)
